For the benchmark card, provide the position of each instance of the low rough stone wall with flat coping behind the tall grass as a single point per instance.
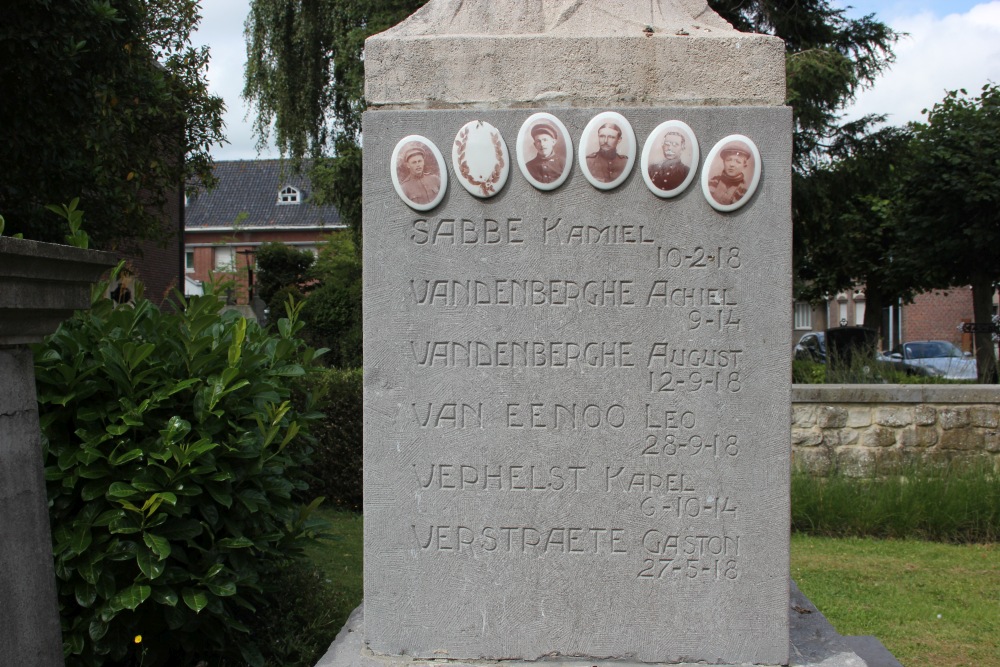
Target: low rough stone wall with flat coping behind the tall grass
(856, 427)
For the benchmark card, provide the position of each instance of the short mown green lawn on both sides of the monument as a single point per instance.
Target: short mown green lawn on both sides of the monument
(931, 604)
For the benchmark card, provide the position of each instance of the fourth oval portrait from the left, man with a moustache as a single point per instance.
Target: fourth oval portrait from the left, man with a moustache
(607, 150)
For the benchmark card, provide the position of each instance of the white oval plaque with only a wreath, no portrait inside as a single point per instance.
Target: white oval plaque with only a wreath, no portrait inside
(479, 156)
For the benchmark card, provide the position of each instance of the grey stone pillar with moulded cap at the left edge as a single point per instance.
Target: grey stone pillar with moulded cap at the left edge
(40, 285)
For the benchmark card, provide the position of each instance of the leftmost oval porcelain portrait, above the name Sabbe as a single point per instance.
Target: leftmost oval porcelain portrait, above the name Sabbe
(418, 172)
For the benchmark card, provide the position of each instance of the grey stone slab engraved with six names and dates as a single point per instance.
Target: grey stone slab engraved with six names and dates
(570, 416)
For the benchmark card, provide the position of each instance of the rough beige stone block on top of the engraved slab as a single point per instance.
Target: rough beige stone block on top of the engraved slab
(571, 53)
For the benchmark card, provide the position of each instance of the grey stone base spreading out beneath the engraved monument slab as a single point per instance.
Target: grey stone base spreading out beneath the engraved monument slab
(813, 642)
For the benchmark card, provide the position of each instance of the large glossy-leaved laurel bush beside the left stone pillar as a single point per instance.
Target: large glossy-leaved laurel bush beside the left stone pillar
(173, 451)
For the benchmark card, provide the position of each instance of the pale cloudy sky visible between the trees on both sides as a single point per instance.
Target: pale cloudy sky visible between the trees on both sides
(951, 44)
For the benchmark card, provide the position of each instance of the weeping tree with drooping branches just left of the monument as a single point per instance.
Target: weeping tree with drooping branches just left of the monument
(305, 79)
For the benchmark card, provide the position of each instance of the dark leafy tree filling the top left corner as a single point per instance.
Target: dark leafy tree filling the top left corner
(106, 101)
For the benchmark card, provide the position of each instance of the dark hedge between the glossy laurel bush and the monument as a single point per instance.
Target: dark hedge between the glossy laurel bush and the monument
(337, 465)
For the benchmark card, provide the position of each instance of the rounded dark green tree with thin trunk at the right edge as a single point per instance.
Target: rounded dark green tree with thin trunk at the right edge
(951, 198)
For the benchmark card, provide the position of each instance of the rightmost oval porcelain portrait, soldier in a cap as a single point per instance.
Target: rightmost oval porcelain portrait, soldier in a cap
(731, 173)
